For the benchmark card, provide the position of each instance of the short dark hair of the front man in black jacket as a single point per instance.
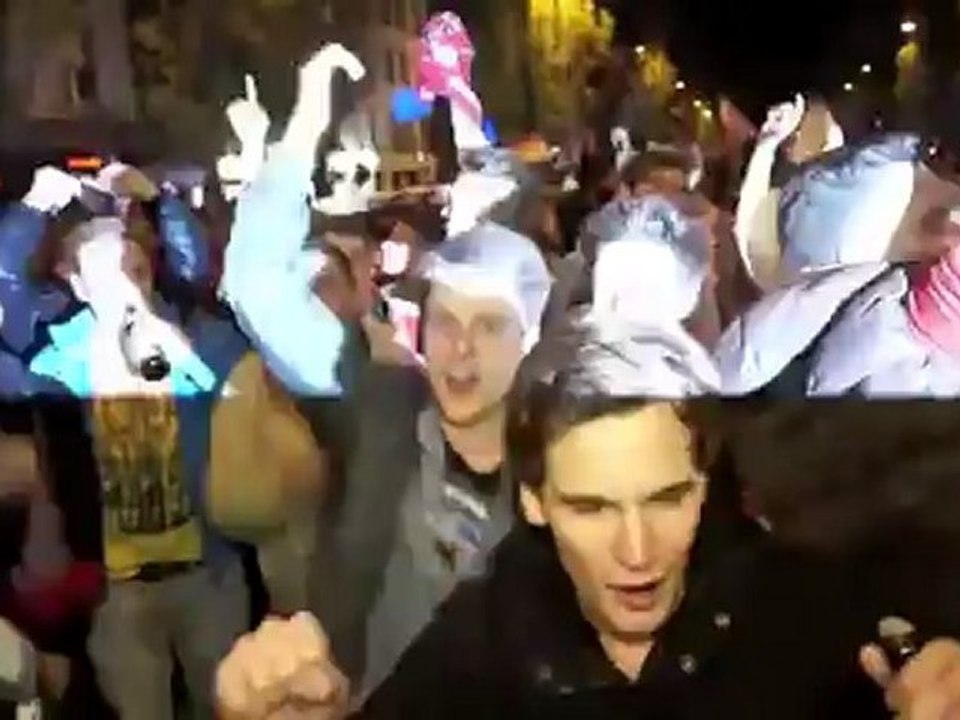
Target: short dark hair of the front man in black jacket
(560, 386)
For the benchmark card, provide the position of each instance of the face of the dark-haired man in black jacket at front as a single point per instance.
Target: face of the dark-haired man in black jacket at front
(622, 497)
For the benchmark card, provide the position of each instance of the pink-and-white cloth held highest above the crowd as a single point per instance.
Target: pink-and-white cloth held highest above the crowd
(446, 31)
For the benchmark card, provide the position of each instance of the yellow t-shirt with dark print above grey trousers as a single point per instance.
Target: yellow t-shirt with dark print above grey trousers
(148, 517)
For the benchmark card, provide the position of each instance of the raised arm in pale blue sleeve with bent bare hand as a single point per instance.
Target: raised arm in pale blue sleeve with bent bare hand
(297, 335)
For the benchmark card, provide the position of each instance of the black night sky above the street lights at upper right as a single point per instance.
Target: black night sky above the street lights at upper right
(762, 51)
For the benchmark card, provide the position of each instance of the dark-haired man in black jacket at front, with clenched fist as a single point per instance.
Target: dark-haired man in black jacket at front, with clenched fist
(630, 591)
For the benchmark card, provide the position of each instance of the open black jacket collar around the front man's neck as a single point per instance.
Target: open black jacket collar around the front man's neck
(560, 651)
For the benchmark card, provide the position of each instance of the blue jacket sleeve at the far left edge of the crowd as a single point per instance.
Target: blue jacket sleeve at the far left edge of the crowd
(24, 302)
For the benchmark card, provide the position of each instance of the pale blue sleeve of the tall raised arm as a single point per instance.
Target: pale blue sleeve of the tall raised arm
(299, 338)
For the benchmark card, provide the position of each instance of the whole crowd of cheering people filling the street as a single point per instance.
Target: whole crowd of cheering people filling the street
(576, 439)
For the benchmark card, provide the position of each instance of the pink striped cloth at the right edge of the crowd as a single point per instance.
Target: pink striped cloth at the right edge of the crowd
(933, 303)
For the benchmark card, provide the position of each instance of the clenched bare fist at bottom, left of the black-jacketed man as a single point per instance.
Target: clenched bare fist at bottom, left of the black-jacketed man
(283, 670)
